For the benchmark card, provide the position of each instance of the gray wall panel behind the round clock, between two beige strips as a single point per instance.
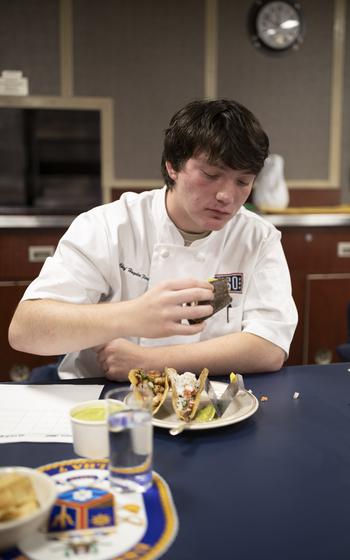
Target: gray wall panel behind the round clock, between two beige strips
(290, 93)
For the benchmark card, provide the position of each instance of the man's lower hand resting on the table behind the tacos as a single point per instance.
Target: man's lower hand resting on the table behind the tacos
(119, 356)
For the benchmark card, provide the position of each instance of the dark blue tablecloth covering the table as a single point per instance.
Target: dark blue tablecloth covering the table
(274, 486)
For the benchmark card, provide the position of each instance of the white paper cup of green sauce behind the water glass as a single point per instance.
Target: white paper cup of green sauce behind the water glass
(90, 437)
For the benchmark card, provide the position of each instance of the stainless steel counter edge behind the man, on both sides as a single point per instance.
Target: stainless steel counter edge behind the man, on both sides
(279, 220)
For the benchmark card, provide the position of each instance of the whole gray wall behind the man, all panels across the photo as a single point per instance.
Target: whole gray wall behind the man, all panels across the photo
(149, 57)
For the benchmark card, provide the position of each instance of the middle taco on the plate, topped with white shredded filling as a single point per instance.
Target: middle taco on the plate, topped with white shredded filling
(186, 392)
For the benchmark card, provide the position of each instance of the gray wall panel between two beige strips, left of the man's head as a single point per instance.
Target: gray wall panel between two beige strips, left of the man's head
(149, 57)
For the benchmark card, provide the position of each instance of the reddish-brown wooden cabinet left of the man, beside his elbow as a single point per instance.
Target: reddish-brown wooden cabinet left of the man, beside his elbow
(22, 252)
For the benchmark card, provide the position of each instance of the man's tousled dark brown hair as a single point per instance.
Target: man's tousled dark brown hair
(223, 129)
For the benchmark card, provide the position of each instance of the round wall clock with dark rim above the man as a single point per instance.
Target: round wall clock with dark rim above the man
(276, 26)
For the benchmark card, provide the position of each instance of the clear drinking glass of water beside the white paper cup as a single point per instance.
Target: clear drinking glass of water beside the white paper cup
(130, 432)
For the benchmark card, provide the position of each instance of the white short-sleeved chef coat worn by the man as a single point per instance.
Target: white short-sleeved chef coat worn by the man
(117, 251)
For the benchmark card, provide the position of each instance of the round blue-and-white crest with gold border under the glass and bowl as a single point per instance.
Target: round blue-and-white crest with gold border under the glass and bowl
(89, 519)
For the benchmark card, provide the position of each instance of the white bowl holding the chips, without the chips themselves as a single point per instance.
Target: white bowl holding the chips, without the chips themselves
(11, 532)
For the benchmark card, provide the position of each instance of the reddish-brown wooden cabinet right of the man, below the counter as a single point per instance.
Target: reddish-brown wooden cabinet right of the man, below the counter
(319, 262)
